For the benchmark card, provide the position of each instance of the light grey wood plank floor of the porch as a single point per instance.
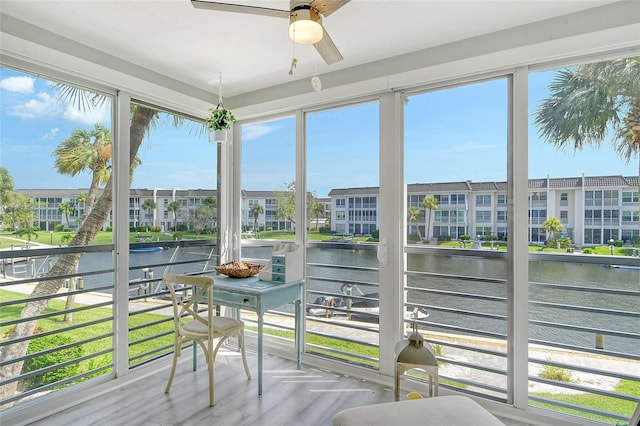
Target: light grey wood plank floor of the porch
(290, 397)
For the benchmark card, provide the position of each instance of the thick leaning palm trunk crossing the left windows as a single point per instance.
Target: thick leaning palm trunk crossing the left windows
(66, 264)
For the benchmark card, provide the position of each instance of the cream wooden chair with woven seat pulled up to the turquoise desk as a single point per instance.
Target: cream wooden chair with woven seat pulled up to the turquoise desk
(200, 327)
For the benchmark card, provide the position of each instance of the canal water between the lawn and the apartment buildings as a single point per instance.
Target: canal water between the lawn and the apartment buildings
(448, 288)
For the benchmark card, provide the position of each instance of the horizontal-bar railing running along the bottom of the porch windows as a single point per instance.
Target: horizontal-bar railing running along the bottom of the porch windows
(584, 313)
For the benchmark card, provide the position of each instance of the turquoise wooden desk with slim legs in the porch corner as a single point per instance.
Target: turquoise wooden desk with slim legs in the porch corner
(259, 297)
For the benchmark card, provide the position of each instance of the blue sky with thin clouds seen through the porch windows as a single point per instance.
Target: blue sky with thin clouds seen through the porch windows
(451, 135)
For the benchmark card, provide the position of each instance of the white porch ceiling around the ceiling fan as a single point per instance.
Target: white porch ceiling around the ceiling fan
(170, 39)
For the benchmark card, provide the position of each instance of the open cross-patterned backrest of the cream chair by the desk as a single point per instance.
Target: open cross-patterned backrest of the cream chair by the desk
(183, 305)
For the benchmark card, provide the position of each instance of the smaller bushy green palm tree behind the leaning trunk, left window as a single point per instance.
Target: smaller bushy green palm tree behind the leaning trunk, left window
(86, 151)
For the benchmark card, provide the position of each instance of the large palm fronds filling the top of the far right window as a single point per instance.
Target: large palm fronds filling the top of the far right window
(592, 101)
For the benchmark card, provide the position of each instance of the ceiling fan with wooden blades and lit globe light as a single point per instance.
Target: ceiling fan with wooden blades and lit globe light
(305, 21)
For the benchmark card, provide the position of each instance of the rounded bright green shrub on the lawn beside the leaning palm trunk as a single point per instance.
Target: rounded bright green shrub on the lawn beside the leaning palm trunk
(50, 359)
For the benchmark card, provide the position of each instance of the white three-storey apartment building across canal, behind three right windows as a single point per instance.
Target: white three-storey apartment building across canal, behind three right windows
(592, 210)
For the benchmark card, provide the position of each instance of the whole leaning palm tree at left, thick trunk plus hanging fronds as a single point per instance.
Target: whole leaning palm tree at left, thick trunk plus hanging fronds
(141, 119)
